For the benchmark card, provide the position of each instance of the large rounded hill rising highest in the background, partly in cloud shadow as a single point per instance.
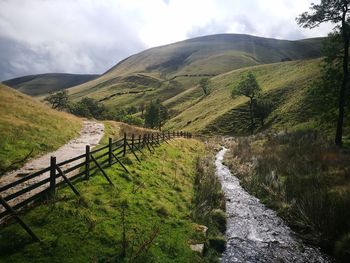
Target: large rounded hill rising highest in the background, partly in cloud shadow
(164, 72)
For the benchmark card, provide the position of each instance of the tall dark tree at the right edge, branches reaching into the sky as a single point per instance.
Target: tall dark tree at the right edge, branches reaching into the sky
(336, 12)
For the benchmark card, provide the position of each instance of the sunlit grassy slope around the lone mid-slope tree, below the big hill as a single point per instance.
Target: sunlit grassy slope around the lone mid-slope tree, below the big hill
(214, 112)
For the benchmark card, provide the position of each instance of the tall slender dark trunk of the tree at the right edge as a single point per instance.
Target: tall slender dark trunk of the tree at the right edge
(341, 100)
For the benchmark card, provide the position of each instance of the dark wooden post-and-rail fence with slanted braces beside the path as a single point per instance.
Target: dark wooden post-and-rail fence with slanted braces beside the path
(44, 183)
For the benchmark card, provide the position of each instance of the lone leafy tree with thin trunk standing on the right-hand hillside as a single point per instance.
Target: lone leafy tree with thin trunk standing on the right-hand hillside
(249, 87)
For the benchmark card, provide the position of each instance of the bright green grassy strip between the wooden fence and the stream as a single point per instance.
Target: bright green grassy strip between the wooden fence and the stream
(91, 229)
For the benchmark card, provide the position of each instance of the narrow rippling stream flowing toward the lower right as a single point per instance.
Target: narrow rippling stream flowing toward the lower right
(255, 233)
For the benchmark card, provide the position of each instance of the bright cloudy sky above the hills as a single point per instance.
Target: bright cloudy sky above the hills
(91, 36)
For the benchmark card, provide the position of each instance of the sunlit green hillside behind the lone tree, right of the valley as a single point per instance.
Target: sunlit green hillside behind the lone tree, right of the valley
(285, 83)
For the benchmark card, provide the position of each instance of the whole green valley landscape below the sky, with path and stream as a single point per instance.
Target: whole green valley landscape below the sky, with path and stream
(175, 197)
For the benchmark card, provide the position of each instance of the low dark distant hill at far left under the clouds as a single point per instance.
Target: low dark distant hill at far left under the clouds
(41, 84)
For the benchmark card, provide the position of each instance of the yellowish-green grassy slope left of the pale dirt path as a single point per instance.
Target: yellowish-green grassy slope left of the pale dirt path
(26, 125)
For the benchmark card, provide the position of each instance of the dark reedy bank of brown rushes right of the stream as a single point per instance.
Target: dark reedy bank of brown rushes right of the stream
(305, 179)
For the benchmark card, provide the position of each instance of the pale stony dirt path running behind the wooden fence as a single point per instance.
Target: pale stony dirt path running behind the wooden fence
(90, 134)
